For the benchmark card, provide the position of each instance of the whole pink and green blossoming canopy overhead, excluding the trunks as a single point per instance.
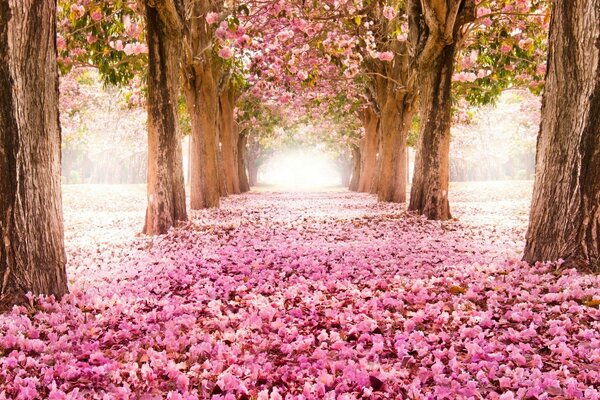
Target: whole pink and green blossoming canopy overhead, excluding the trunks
(302, 56)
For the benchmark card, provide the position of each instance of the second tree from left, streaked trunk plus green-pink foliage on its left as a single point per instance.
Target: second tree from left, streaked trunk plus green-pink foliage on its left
(109, 35)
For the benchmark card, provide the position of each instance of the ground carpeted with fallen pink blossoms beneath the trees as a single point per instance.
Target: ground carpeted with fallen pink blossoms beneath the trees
(305, 296)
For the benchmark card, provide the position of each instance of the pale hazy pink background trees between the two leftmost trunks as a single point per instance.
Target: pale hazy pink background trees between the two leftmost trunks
(90, 152)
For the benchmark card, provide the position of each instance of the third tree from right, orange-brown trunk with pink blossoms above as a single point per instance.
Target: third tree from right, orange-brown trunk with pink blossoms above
(380, 38)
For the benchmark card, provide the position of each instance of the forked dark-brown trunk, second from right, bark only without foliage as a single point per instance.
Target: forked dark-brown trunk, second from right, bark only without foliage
(434, 32)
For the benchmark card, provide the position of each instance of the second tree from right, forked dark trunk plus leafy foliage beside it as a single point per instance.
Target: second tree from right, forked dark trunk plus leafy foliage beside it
(500, 38)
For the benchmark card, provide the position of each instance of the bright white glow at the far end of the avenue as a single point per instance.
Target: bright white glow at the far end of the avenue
(300, 170)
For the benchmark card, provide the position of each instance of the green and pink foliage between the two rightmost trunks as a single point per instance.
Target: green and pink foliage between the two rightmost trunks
(506, 48)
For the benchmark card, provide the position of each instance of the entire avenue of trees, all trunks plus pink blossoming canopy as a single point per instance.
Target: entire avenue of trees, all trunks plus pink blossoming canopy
(370, 72)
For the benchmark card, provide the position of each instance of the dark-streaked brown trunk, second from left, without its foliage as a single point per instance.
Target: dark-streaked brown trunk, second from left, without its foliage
(166, 187)
